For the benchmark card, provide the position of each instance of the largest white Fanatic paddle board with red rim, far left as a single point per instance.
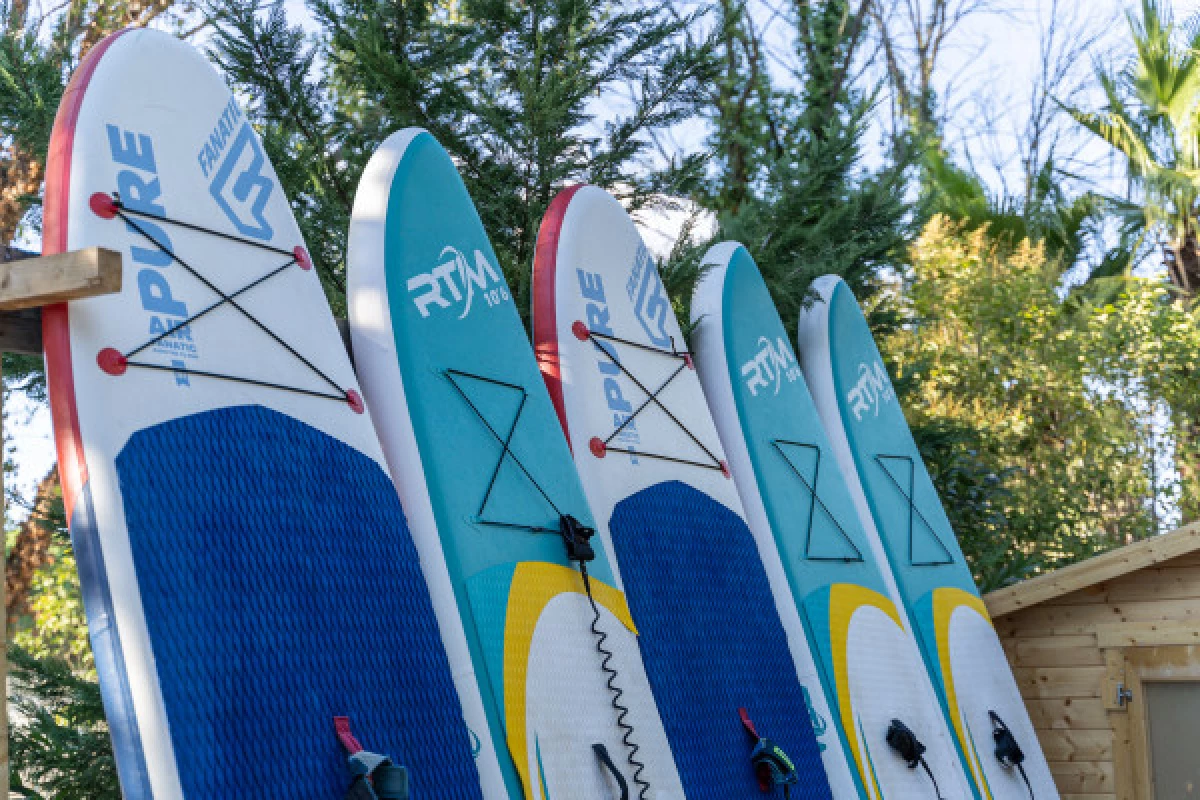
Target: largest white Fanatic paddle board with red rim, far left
(245, 564)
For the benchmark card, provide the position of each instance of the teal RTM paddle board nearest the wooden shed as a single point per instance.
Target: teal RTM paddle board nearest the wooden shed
(904, 519)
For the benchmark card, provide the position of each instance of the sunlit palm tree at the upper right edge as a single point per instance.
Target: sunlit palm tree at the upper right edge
(1153, 118)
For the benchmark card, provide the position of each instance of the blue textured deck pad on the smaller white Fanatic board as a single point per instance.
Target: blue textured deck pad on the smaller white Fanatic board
(712, 641)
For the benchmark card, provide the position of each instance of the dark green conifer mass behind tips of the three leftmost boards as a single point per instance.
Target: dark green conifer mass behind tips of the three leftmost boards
(511, 89)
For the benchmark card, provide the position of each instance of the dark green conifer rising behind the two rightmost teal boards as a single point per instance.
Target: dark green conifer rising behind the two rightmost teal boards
(790, 182)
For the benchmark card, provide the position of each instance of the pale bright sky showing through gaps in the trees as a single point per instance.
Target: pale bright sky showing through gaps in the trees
(986, 86)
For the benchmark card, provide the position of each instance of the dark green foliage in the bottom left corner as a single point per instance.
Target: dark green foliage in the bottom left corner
(59, 745)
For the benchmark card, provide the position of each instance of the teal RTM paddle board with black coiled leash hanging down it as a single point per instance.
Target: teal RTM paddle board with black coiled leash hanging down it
(487, 480)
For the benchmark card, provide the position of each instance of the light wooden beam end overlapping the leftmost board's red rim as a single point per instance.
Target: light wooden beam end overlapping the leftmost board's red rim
(33, 282)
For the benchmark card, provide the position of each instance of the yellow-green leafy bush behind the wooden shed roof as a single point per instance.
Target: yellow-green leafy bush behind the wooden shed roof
(1033, 406)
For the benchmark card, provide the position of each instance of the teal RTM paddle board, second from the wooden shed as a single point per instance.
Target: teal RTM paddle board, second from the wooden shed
(794, 495)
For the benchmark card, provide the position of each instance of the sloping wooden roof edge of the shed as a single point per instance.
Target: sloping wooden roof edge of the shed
(1105, 567)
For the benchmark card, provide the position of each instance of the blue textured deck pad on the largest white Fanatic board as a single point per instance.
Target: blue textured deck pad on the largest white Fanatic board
(281, 588)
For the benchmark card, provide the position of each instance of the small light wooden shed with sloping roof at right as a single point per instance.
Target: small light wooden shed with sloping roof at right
(1107, 654)
